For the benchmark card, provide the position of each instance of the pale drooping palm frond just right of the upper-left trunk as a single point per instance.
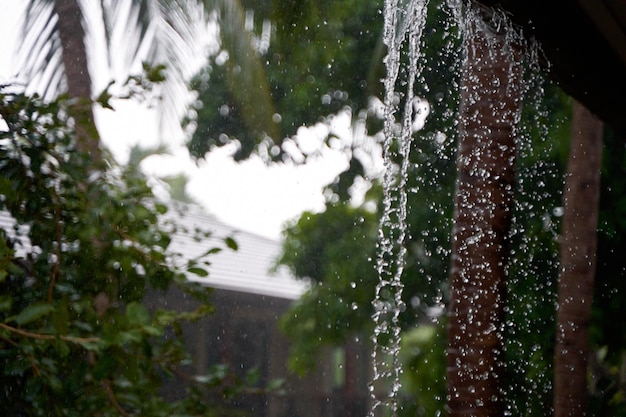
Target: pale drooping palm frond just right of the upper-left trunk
(169, 32)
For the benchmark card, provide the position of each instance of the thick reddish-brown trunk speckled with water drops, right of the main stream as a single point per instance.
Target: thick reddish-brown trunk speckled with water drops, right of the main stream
(485, 163)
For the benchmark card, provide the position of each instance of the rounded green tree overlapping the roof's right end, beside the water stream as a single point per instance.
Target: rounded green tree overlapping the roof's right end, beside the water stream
(333, 249)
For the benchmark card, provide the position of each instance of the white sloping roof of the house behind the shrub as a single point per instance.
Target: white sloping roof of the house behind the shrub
(247, 269)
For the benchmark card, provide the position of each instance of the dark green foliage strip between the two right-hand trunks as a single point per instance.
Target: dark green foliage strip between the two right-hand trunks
(534, 264)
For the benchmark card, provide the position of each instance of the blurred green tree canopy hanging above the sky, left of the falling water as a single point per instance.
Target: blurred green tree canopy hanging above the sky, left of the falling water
(309, 69)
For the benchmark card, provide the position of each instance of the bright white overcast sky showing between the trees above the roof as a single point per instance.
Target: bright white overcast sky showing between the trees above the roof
(248, 195)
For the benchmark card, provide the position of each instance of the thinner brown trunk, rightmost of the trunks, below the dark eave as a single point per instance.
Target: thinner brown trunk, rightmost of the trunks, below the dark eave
(578, 253)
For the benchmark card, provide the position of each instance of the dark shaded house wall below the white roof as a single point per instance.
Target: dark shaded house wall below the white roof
(243, 333)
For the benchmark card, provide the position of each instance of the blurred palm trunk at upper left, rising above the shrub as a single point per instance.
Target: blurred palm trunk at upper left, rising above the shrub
(72, 34)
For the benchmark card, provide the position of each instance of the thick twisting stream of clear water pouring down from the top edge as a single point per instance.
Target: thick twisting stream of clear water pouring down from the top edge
(401, 23)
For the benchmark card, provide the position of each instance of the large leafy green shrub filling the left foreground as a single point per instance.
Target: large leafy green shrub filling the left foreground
(76, 335)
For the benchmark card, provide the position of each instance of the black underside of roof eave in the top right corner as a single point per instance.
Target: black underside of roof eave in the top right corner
(584, 41)
